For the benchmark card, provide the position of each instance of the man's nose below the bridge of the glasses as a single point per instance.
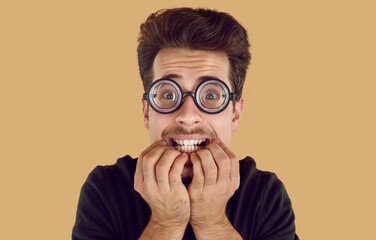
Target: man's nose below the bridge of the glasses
(188, 114)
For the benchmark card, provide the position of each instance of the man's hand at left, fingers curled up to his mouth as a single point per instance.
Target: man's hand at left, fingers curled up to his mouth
(158, 180)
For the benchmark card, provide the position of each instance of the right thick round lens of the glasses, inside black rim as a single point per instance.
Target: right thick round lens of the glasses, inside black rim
(213, 96)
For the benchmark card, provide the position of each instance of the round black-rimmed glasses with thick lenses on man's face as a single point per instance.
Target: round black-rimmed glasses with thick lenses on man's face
(211, 96)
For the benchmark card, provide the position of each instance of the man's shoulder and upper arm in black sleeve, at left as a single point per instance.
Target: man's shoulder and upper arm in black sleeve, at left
(107, 199)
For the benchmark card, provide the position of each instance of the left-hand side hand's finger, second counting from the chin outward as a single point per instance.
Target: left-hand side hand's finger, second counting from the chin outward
(163, 167)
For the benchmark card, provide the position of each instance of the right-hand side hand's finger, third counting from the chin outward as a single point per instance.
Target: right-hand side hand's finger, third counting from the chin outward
(222, 160)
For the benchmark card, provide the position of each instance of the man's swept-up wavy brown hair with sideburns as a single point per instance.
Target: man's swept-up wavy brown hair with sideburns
(196, 29)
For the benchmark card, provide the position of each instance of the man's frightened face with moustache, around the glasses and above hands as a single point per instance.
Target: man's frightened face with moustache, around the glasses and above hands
(188, 68)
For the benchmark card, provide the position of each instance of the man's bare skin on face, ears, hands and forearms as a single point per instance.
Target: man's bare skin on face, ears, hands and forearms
(214, 170)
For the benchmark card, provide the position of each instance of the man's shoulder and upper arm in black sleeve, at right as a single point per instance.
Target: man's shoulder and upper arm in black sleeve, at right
(263, 194)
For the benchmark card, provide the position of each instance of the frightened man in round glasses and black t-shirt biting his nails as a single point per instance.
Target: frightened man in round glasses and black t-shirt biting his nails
(187, 184)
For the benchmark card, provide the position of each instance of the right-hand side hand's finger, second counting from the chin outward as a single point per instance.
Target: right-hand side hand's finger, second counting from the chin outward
(209, 166)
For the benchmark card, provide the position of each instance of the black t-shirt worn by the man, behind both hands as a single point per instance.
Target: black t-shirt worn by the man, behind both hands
(110, 208)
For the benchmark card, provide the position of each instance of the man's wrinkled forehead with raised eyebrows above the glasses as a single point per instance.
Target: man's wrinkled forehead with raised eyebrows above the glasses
(191, 66)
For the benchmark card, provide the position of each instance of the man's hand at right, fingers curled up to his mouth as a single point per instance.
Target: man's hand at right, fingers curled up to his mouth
(215, 179)
